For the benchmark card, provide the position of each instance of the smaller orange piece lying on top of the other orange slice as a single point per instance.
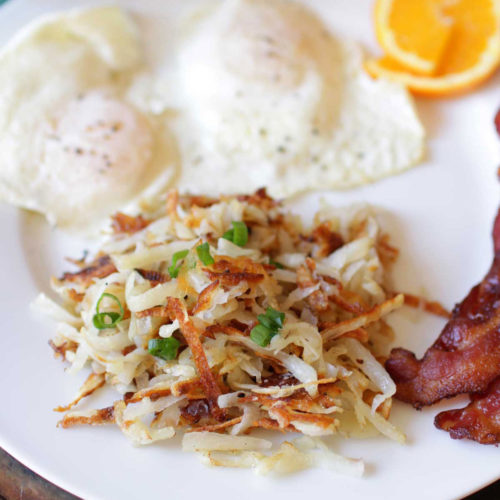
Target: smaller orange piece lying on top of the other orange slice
(398, 26)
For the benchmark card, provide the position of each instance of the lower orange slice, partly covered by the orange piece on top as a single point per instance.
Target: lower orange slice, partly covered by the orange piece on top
(471, 53)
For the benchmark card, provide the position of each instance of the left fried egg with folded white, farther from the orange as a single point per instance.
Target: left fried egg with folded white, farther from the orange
(72, 147)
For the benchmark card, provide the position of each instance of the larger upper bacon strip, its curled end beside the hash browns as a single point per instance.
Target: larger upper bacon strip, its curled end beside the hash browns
(466, 356)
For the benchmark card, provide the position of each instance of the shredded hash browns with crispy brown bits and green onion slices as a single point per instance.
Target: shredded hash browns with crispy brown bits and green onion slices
(220, 316)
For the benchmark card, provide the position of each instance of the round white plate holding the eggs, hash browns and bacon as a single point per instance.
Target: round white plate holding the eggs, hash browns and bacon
(441, 220)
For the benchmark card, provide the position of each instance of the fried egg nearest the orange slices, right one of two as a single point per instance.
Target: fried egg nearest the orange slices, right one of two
(271, 98)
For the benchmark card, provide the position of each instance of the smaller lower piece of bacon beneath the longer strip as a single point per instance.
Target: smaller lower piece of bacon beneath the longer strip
(480, 420)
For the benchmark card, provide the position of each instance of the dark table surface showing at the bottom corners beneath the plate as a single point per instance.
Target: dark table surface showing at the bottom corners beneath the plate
(17, 482)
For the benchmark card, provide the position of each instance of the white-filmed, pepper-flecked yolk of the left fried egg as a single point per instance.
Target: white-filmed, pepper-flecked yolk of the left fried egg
(101, 139)
